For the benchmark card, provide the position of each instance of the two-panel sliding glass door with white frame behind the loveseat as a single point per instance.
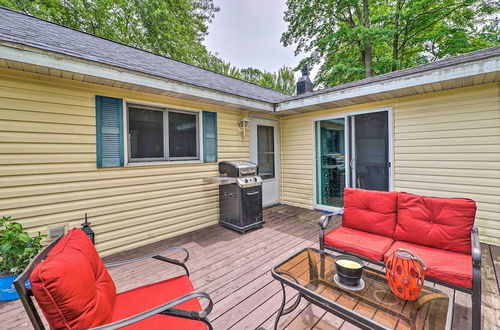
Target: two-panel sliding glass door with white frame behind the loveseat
(351, 151)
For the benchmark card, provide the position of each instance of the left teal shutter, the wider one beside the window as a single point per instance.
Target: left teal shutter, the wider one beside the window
(109, 131)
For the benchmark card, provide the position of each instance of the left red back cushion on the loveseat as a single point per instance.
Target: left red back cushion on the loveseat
(370, 211)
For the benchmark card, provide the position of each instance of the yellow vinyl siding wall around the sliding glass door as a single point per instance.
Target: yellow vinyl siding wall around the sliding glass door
(446, 144)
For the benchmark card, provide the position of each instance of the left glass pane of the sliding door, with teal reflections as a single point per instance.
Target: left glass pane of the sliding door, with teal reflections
(330, 161)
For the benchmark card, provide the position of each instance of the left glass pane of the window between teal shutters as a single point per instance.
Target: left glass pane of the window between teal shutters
(146, 133)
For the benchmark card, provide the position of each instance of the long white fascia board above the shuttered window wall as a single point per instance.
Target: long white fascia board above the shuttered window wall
(66, 63)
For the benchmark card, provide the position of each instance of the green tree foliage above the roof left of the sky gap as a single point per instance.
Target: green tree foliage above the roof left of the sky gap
(173, 28)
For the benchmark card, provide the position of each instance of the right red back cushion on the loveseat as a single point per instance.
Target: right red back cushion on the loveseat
(443, 223)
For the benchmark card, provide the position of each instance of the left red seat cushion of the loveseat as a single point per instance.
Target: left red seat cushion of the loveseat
(368, 245)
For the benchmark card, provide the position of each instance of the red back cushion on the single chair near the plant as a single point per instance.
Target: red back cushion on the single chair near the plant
(72, 286)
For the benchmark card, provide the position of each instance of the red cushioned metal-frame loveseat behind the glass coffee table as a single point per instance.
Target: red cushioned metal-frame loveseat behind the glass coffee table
(439, 230)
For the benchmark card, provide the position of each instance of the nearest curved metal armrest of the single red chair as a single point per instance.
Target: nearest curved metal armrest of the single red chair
(166, 309)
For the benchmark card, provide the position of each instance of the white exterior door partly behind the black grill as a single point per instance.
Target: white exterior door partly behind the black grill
(264, 151)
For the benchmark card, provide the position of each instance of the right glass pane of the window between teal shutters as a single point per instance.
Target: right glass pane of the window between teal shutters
(182, 134)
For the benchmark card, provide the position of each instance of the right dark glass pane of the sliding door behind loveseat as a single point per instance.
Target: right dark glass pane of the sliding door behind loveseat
(372, 151)
